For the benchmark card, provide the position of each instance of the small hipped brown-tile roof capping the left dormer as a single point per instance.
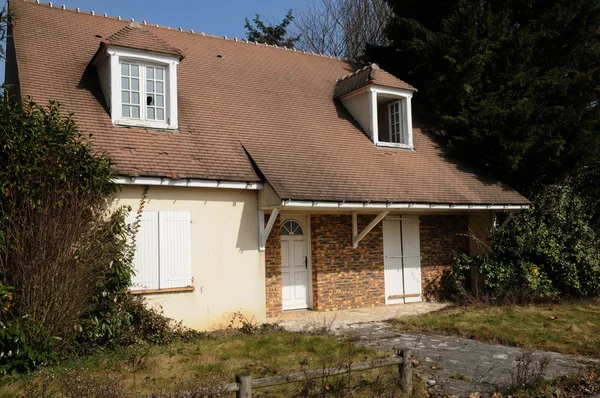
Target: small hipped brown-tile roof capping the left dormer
(135, 36)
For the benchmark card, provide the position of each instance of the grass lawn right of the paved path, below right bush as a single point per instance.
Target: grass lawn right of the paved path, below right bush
(572, 328)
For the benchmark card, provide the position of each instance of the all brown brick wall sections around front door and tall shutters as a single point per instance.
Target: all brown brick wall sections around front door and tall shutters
(345, 278)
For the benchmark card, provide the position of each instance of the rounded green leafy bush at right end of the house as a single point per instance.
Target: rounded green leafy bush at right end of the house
(546, 252)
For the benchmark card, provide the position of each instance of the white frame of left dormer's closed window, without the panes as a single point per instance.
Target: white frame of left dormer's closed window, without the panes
(169, 63)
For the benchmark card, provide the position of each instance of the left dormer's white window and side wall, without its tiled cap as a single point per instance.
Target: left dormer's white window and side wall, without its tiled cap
(140, 87)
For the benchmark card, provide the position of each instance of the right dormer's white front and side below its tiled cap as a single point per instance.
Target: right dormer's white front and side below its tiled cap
(376, 107)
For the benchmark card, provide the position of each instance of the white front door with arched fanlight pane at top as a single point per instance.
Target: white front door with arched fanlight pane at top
(294, 263)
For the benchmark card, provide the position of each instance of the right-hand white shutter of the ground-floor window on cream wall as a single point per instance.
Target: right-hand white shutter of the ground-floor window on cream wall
(175, 249)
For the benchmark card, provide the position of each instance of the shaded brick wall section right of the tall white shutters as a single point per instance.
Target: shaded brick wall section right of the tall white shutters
(441, 237)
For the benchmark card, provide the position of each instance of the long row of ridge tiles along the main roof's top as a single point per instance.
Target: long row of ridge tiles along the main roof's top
(191, 31)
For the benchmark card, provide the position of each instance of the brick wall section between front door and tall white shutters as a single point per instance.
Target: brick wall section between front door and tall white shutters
(344, 277)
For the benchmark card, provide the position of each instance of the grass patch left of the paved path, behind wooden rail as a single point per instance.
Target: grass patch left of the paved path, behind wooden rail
(145, 370)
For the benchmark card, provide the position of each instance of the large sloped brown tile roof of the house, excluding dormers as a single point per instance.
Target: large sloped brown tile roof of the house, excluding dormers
(239, 100)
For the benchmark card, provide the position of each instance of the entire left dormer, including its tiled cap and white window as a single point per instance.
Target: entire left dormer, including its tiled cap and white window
(139, 84)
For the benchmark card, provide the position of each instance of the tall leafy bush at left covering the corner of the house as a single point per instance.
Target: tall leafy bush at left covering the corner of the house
(64, 250)
